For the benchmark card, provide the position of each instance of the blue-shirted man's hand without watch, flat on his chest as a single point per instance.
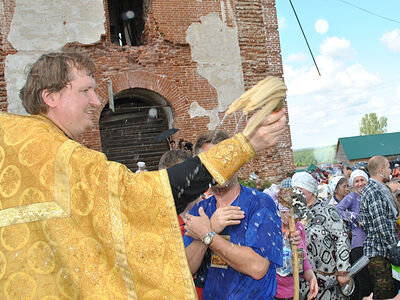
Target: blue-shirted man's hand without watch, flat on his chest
(226, 216)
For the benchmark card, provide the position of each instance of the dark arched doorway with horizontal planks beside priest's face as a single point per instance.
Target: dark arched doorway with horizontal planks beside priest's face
(128, 133)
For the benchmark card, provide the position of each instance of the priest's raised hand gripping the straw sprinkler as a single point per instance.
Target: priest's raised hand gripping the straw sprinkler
(268, 132)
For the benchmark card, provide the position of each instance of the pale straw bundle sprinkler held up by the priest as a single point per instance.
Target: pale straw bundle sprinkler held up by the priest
(266, 96)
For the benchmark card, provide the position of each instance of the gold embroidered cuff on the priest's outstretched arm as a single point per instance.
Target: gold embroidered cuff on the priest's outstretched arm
(226, 158)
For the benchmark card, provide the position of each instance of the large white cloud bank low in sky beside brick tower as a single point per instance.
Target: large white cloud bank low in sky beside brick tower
(324, 108)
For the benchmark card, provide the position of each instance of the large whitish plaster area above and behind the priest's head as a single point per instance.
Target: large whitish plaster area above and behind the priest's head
(42, 26)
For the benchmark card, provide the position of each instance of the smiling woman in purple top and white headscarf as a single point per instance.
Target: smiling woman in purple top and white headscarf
(349, 209)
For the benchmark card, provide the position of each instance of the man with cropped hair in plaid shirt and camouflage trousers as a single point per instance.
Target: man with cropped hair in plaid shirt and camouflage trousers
(378, 216)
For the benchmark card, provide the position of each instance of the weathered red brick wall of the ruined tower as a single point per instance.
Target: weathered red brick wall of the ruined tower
(199, 56)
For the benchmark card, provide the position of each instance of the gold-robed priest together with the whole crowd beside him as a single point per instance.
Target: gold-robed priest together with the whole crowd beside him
(77, 226)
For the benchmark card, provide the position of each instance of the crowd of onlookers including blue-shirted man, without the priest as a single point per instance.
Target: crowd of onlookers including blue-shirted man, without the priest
(339, 231)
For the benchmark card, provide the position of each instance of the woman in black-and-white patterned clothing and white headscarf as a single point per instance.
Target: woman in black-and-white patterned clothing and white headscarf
(328, 244)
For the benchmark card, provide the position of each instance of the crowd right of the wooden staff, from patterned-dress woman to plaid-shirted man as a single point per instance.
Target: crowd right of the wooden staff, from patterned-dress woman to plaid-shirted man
(354, 214)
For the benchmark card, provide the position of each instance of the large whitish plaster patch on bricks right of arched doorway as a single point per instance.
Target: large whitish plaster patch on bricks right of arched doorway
(215, 48)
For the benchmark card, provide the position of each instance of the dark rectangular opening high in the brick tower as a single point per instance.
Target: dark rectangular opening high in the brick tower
(126, 22)
